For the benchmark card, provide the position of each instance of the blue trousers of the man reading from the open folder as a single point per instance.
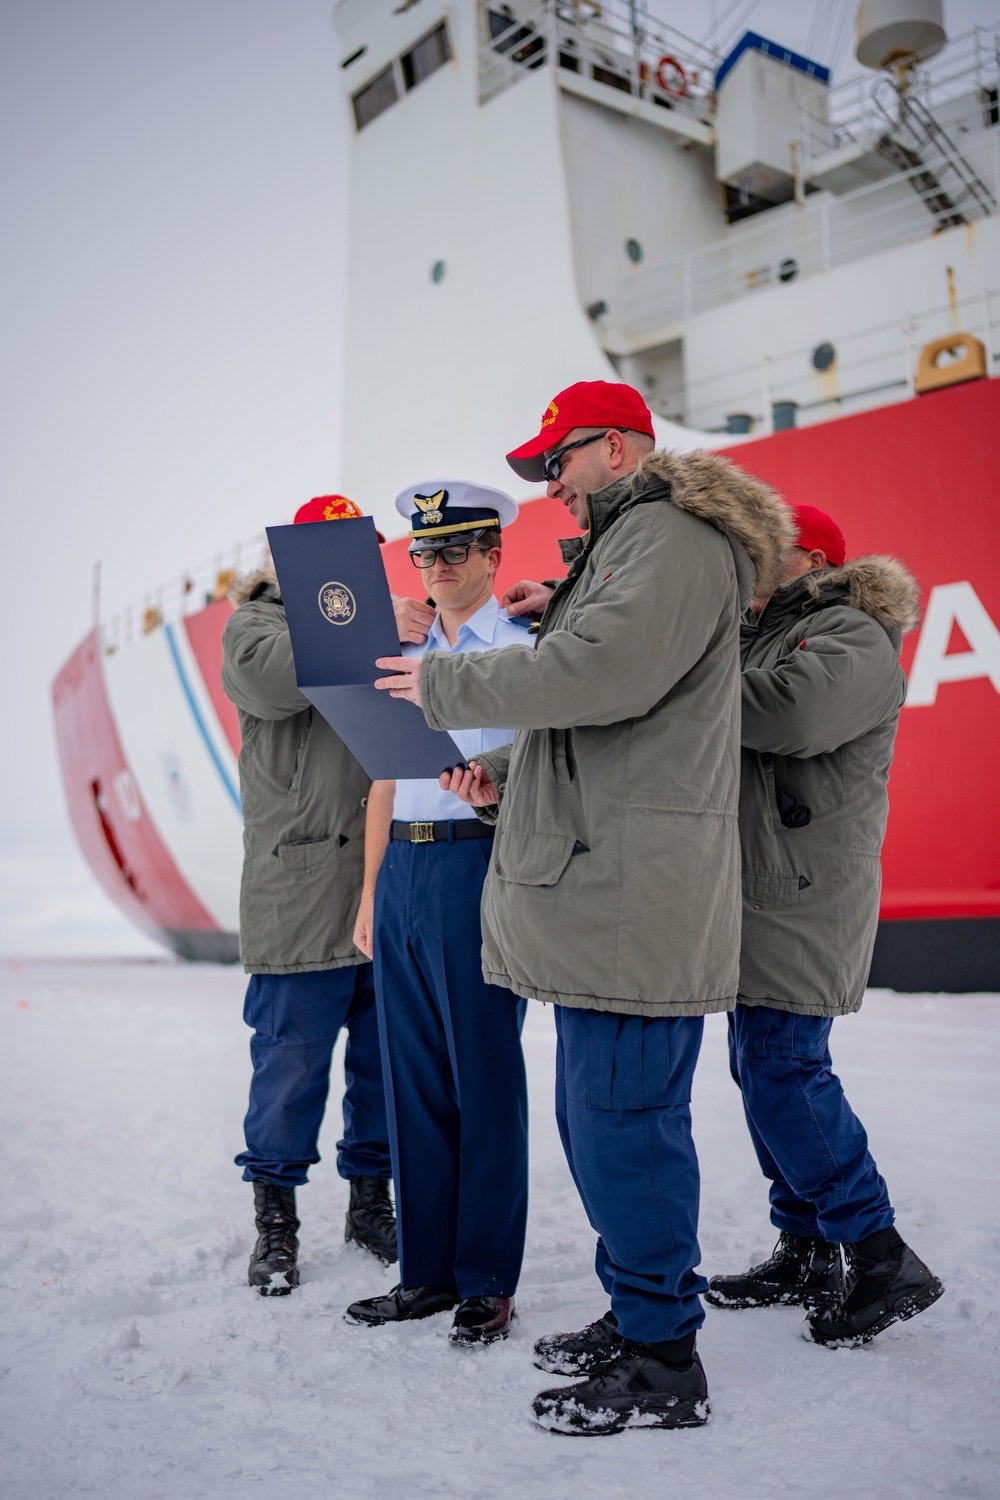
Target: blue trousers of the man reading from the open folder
(624, 1114)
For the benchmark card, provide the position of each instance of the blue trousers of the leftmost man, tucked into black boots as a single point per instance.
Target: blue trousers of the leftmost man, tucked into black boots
(296, 1021)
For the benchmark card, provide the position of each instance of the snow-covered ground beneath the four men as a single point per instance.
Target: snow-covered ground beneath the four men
(137, 1366)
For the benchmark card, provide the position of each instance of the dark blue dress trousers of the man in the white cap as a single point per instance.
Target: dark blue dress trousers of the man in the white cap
(455, 1075)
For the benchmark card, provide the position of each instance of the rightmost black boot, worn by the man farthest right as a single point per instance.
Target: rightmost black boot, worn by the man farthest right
(887, 1283)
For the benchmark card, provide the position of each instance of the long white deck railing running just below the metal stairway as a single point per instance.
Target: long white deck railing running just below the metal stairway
(797, 239)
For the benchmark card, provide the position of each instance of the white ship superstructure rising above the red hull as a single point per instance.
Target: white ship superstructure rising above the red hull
(567, 191)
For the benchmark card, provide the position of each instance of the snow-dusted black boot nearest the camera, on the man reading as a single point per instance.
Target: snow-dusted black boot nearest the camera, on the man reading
(638, 1391)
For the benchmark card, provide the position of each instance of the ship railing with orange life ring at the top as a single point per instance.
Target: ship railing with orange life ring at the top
(617, 44)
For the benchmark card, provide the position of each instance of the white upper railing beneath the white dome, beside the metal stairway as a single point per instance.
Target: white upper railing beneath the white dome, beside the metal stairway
(959, 86)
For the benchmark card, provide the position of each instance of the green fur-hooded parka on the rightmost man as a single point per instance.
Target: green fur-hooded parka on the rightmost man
(822, 697)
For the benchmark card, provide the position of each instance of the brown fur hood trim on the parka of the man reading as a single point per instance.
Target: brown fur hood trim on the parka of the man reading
(714, 490)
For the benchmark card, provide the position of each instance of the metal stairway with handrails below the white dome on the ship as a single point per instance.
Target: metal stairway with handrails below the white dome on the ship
(948, 203)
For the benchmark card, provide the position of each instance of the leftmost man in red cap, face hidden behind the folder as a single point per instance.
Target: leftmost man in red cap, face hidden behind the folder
(304, 808)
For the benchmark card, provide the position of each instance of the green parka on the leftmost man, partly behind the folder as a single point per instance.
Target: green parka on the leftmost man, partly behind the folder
(304, 800)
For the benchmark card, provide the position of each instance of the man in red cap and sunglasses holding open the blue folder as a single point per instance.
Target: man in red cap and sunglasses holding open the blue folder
(614, 889)
